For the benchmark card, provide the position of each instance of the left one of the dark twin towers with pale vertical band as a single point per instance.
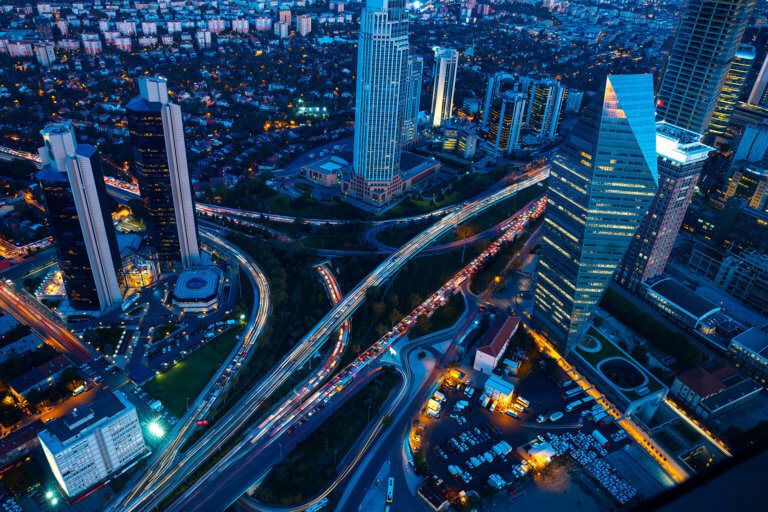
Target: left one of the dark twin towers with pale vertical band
(80, 222)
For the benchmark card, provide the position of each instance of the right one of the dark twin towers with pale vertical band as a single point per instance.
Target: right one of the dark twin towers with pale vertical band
(157, 136)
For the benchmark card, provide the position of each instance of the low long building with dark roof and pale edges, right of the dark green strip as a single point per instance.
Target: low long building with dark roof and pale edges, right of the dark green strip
(681, 305)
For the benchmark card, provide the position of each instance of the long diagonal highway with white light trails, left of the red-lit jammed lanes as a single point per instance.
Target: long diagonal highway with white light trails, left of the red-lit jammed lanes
(251, 403)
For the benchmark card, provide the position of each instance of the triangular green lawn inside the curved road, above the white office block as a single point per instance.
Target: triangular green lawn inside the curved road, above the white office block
(186, 379)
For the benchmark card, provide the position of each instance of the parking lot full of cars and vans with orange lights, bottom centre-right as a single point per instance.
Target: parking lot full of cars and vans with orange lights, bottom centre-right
(501, 457)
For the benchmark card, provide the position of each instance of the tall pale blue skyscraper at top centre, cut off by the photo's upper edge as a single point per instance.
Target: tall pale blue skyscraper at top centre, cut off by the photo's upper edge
(382, 65)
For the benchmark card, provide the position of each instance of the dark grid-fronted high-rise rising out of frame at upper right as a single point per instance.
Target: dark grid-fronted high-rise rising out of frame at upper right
(706, 41)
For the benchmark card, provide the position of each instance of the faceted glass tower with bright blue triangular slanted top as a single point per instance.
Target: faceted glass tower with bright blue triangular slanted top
(601, 183)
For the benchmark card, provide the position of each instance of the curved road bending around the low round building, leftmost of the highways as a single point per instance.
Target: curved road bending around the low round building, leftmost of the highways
(168, 456)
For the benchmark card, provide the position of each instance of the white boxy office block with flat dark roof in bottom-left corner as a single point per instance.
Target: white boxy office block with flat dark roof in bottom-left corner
(93, 443)
